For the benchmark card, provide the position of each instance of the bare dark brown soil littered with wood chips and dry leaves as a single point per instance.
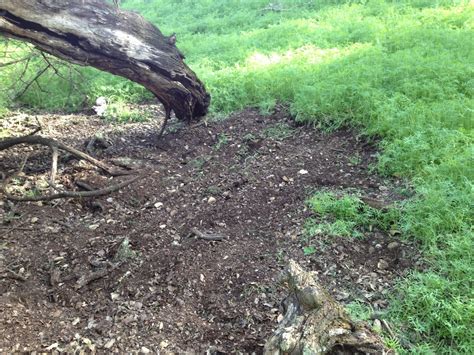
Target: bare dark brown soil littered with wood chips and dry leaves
(245, 178)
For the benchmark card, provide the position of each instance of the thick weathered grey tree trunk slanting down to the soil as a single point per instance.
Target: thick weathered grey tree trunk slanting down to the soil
(90, 32)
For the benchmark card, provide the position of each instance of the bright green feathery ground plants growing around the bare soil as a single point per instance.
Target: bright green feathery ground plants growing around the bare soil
(400, 70)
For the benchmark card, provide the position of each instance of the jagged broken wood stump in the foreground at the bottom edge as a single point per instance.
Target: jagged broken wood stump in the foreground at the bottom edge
(314, 323)
